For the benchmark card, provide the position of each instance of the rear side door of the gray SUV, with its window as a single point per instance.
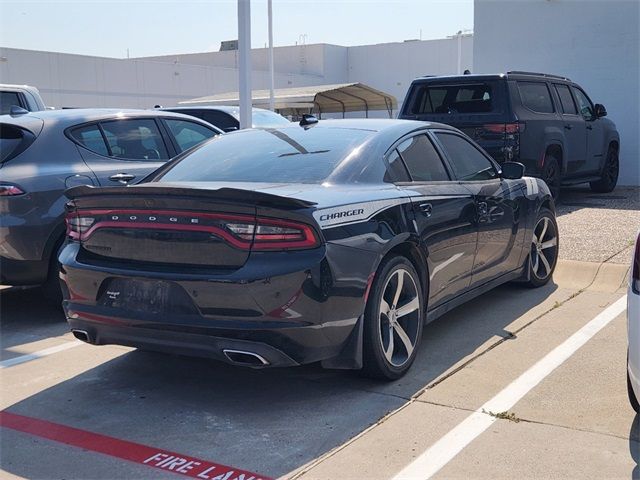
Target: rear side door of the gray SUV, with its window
(122, 150)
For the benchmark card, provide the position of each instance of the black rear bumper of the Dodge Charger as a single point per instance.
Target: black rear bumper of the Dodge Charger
(289, 309)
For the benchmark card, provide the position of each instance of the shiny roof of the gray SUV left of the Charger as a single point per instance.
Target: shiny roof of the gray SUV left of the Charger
(72, 116)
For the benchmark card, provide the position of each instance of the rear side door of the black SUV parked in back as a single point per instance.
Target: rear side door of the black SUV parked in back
(575, 130)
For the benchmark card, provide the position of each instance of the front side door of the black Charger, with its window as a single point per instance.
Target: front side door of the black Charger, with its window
(498, 209)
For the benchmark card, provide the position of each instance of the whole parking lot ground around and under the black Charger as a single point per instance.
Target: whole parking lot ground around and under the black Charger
(519, 383)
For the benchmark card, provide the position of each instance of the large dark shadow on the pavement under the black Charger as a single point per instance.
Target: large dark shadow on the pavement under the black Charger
(270, 421)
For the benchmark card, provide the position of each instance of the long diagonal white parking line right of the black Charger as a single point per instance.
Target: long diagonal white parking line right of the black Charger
(445, 449)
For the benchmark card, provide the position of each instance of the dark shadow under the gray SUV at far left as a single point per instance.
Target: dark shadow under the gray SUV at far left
(26, 316)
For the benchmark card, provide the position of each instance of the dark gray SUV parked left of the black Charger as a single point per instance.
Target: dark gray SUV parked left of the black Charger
(44, 153)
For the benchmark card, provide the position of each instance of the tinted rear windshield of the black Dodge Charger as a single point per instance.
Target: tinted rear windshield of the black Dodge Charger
(289, 155)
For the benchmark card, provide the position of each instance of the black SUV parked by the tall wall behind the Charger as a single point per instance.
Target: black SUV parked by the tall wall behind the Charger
(545, 121)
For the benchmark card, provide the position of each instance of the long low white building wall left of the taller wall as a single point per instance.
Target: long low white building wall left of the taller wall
(66, 80)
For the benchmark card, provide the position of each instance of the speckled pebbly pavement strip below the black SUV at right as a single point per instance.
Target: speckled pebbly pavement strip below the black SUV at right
(598, 227)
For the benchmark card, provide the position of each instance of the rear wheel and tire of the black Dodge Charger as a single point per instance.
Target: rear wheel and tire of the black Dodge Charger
(391, 359)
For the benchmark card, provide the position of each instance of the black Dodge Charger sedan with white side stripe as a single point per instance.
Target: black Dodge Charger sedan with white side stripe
(331, 242)
